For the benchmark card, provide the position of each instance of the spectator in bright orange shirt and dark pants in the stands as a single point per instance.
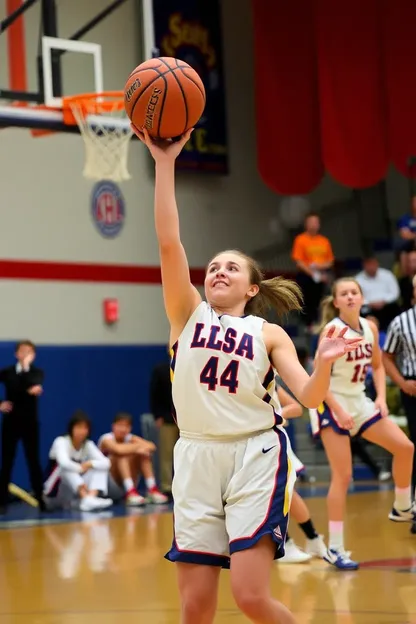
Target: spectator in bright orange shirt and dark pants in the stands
(313, 255)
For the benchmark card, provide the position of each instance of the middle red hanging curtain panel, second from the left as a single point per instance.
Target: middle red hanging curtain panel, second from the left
(351, 94)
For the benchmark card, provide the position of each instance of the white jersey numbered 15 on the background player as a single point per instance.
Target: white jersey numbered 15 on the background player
(349, 372)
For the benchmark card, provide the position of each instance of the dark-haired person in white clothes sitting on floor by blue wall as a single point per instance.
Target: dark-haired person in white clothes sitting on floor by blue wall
(78, 471)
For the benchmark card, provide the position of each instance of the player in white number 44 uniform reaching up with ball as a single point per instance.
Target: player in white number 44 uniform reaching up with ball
(233, 480)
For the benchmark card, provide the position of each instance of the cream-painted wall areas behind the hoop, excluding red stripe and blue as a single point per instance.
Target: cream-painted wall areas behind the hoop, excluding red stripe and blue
(46, 205)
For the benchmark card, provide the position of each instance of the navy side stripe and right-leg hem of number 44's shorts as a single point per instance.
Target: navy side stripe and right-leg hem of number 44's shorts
(275, 523)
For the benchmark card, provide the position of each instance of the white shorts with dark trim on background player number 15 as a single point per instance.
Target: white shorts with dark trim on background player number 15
(361, 408)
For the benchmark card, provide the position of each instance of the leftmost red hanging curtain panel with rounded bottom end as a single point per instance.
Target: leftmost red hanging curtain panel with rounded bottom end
(287, 109)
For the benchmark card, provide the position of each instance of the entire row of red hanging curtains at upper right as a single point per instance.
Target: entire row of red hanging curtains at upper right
(335, 90)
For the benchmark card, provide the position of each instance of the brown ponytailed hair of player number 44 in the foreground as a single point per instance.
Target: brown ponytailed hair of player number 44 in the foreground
(281, 294)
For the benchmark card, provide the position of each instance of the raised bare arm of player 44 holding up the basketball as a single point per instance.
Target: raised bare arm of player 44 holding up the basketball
(180, 296)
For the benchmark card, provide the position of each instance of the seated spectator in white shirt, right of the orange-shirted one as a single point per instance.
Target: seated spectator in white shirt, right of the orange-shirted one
(380, 291)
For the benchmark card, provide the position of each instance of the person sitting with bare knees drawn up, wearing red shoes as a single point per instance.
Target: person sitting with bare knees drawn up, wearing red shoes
(130, 456)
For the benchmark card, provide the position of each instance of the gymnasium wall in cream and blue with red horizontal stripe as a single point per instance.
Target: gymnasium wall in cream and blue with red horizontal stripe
(47, 233)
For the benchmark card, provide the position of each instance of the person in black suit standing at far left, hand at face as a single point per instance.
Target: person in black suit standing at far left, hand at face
(23, 384)
